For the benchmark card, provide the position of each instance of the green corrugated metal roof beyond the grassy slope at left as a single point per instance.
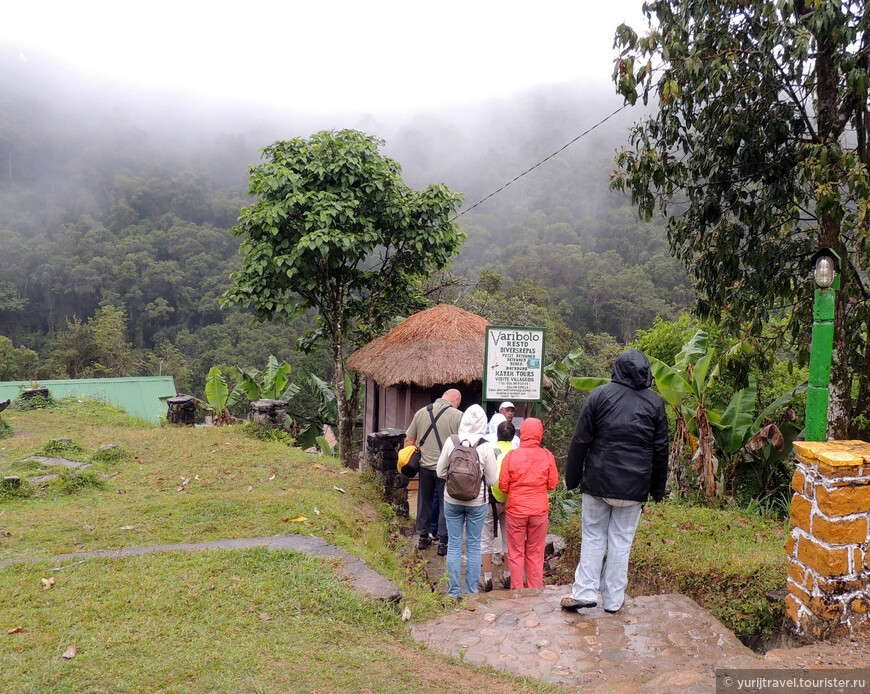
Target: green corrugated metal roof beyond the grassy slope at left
(139, 396)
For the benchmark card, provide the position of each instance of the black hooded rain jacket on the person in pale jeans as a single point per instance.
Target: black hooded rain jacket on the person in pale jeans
(620, 445)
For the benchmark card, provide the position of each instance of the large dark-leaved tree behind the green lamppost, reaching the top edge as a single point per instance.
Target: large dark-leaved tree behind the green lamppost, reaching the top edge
(757, 156)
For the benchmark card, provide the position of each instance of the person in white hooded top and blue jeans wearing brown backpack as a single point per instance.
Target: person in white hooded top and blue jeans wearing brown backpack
(467, 465)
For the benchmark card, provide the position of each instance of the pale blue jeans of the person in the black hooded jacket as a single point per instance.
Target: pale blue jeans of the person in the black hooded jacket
(607, 529)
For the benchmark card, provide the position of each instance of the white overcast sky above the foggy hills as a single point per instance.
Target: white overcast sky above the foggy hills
(321, 56)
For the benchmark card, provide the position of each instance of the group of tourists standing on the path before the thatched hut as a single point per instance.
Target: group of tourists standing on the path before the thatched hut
(618, 456)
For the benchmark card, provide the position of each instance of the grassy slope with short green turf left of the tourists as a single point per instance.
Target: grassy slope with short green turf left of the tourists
(247, 621)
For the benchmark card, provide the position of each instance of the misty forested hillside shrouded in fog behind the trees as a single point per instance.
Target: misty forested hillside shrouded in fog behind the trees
(123, 199)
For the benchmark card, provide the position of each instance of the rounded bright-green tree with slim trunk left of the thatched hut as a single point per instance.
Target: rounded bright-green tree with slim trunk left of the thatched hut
(335, 229)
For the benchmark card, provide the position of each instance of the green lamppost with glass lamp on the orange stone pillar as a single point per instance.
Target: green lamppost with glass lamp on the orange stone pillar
(826, 272)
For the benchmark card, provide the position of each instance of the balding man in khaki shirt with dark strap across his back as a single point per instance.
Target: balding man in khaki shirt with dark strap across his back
(429, 429)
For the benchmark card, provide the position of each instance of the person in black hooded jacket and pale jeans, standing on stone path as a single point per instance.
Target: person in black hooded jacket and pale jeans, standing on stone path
(619, 457)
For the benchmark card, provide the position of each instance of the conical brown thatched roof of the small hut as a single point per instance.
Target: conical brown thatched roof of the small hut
(434, 347)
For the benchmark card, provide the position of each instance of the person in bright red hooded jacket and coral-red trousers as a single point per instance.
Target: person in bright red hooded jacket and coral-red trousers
(527, 474)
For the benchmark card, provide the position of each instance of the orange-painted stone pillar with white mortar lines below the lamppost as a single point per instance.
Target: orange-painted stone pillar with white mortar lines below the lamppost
(828, 561)
